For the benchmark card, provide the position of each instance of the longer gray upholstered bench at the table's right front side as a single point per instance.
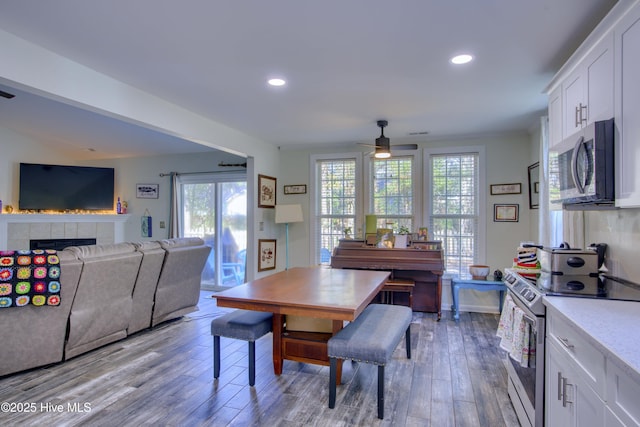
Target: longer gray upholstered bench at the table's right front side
(371, 338)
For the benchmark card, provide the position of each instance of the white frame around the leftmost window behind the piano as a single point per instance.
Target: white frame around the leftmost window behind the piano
(313, 203)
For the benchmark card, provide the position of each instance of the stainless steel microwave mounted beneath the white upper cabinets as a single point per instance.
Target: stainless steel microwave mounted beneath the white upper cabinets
(581, 167)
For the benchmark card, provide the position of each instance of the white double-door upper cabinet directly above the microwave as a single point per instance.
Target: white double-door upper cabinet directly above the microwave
(588, 92)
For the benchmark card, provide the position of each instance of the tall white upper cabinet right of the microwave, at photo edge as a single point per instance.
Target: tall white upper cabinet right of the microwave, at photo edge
(627, 109)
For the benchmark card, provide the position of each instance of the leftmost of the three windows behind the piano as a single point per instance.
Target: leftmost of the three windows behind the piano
(336, 202)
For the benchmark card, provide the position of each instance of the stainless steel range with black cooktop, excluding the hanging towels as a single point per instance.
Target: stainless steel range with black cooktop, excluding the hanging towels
(526, 385)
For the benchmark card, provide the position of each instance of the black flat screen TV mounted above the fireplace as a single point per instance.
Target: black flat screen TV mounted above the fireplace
(64, 188)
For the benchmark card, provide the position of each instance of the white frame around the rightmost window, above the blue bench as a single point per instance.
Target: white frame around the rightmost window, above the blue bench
(481, 251)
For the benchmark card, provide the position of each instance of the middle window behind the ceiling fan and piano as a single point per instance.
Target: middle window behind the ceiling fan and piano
(392, 198)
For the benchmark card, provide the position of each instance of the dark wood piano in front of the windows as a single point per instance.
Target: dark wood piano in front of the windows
(422, 262)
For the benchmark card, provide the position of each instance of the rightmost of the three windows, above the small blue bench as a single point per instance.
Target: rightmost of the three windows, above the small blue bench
(455, 205)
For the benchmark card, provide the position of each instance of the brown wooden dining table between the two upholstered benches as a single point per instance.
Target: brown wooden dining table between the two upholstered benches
(316, 292)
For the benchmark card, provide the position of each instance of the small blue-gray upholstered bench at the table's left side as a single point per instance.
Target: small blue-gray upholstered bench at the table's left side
(243, 325)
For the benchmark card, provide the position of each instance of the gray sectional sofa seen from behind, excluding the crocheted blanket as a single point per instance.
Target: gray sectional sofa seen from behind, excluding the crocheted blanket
(107, 293)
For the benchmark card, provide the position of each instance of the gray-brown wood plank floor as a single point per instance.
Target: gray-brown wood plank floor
(164, 376)
